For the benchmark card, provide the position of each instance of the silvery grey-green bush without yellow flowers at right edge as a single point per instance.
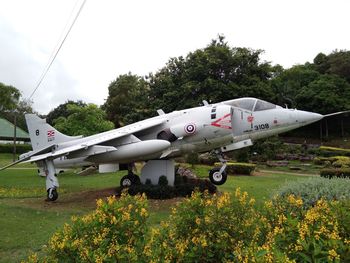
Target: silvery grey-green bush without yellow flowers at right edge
(312, 190)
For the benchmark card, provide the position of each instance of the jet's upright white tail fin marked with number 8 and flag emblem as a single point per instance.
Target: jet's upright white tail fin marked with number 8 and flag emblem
(42, 134)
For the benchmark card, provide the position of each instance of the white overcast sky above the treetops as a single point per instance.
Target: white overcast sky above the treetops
(116, 37)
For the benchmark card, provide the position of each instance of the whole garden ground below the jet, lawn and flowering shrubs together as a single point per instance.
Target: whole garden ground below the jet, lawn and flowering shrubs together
(274, 215)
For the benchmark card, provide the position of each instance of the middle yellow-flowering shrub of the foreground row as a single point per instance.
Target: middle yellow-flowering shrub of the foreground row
(207, 228)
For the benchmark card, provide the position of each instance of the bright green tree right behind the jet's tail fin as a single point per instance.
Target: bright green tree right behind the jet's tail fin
(83, 120)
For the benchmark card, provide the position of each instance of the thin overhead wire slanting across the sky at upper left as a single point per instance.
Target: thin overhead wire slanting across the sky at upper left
(58, 47)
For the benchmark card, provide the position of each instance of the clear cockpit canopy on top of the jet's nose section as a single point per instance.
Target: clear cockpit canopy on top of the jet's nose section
(251, 104)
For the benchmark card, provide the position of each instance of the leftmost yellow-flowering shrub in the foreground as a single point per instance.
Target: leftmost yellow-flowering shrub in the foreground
(115, 231)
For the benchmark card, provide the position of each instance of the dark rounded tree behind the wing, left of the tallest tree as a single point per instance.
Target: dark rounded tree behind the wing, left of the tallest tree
(127, 100)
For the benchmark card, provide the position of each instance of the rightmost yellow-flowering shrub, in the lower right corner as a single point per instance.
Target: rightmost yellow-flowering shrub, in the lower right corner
(311, 234)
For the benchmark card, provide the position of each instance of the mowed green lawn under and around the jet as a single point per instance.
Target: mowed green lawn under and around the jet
(27, 221)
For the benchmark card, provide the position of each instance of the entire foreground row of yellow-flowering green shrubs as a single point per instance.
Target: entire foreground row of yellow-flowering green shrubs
(207, 228)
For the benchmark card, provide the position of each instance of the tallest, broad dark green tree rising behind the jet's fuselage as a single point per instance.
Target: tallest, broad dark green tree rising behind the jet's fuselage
(215, 73)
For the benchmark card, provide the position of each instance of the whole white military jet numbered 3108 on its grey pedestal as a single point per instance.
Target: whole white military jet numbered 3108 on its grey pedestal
(219, 127)
